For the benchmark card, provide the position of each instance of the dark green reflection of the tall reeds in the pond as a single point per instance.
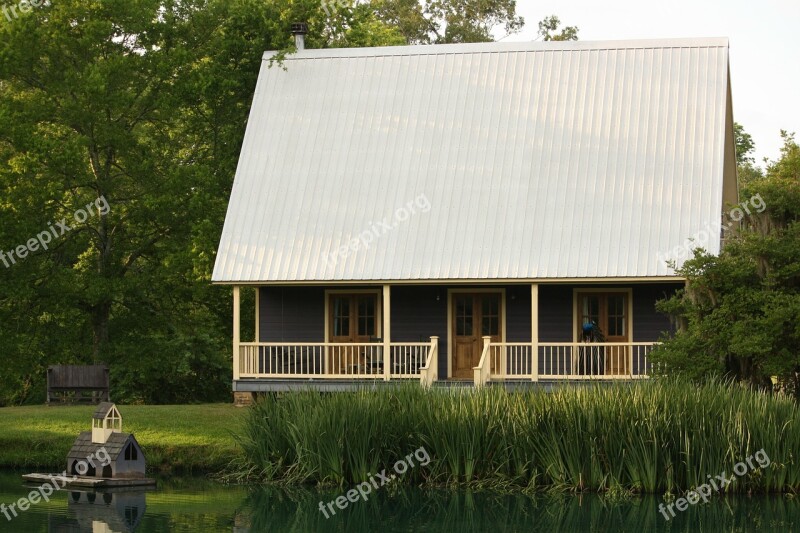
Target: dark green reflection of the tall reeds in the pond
(461, 511)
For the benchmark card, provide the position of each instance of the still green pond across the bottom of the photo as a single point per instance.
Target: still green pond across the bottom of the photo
(197, 505)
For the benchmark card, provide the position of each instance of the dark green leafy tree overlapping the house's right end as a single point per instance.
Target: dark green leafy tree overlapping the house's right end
(740, 312)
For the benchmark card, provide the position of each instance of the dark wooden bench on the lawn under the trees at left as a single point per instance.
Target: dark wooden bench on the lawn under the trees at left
(75, 384)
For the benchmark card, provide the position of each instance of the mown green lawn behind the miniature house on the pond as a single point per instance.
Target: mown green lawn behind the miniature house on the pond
(175, 438)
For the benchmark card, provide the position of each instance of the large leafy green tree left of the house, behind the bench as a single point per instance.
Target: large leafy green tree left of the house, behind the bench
(91, 105)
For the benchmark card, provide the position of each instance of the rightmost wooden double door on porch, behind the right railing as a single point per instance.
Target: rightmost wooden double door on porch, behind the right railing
(609, 311)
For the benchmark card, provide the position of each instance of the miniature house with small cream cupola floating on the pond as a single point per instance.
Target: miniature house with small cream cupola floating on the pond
(106, 443)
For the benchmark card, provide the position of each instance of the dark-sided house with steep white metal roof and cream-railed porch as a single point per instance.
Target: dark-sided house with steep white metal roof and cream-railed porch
(484, 212)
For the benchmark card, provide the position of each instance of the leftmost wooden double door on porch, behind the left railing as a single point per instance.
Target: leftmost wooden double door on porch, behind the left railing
(353, 319)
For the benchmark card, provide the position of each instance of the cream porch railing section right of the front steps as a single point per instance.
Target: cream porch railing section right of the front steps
(503, 361)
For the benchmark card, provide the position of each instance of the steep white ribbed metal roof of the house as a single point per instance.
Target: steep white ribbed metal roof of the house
(536, 160)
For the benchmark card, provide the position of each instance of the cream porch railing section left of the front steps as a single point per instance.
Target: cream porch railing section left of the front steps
(330, 360)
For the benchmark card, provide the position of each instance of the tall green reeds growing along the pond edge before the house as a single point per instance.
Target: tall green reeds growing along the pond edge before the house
(659, 436)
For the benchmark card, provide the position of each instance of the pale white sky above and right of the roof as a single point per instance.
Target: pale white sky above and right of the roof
(764, 48)
